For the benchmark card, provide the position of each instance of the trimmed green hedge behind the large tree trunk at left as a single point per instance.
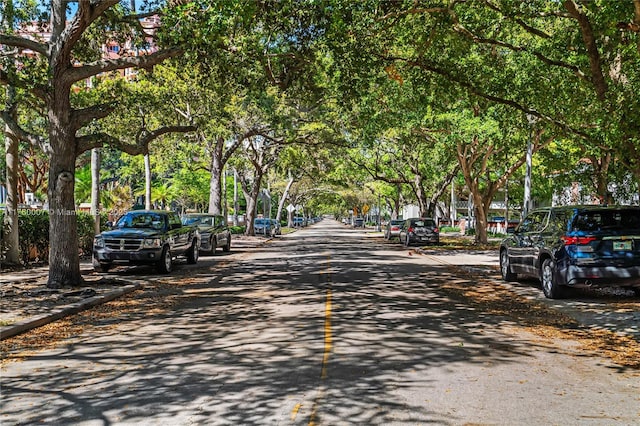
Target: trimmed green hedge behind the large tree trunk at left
(34, 234)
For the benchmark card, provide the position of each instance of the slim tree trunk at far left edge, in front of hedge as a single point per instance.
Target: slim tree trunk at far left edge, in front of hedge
(12, 233)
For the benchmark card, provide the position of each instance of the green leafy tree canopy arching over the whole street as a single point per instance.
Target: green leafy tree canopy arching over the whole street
(320, 98)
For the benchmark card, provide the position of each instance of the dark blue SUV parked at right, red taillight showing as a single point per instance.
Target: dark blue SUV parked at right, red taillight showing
(575, 247)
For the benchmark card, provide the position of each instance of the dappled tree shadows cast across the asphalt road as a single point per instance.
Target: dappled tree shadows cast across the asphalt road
(314, 331)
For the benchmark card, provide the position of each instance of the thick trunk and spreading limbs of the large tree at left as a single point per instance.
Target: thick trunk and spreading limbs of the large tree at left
(63, 60)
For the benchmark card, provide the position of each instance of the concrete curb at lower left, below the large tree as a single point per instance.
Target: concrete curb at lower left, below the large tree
(38, 321)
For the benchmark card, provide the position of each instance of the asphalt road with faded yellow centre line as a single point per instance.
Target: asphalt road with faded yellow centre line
(321, 327)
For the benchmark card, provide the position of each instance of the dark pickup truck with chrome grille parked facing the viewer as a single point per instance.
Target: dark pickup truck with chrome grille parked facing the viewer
(146, 237)
